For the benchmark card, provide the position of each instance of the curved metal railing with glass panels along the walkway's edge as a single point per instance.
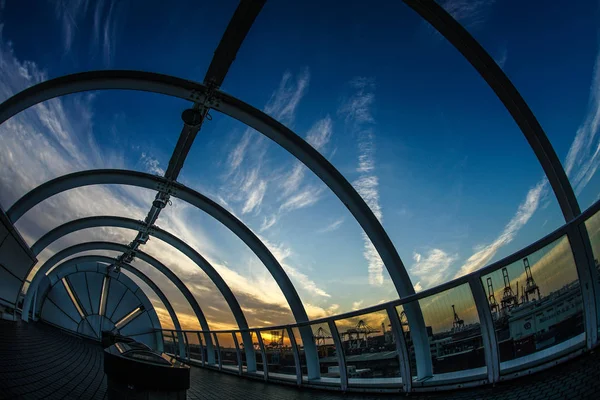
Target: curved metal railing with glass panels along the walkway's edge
(483, 327)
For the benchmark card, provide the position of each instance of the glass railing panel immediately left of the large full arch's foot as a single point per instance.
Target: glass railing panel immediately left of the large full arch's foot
(369, 346)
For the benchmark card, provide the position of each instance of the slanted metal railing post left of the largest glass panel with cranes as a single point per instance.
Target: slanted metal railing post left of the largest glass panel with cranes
(488, 331)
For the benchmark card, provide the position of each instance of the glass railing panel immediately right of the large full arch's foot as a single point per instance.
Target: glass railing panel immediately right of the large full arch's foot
(453, 330)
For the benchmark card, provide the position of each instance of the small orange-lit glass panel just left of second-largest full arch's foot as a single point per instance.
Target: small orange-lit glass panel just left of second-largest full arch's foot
(278, 349)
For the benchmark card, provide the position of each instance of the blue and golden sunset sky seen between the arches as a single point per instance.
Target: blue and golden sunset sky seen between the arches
(380, 94)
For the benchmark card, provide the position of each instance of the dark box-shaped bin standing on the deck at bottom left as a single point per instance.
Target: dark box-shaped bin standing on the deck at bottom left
(134, 371)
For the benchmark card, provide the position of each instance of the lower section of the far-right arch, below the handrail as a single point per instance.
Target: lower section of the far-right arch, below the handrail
(588, 280)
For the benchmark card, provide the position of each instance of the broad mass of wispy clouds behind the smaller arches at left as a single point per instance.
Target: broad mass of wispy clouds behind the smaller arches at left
(54, 139)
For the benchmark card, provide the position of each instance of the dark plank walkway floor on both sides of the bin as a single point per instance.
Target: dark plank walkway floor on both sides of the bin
(40, 362)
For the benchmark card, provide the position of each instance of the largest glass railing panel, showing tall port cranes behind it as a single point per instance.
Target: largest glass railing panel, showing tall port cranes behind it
(536, 303)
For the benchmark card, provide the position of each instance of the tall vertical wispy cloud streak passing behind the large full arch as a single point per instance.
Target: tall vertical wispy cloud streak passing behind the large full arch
(357, 111)
